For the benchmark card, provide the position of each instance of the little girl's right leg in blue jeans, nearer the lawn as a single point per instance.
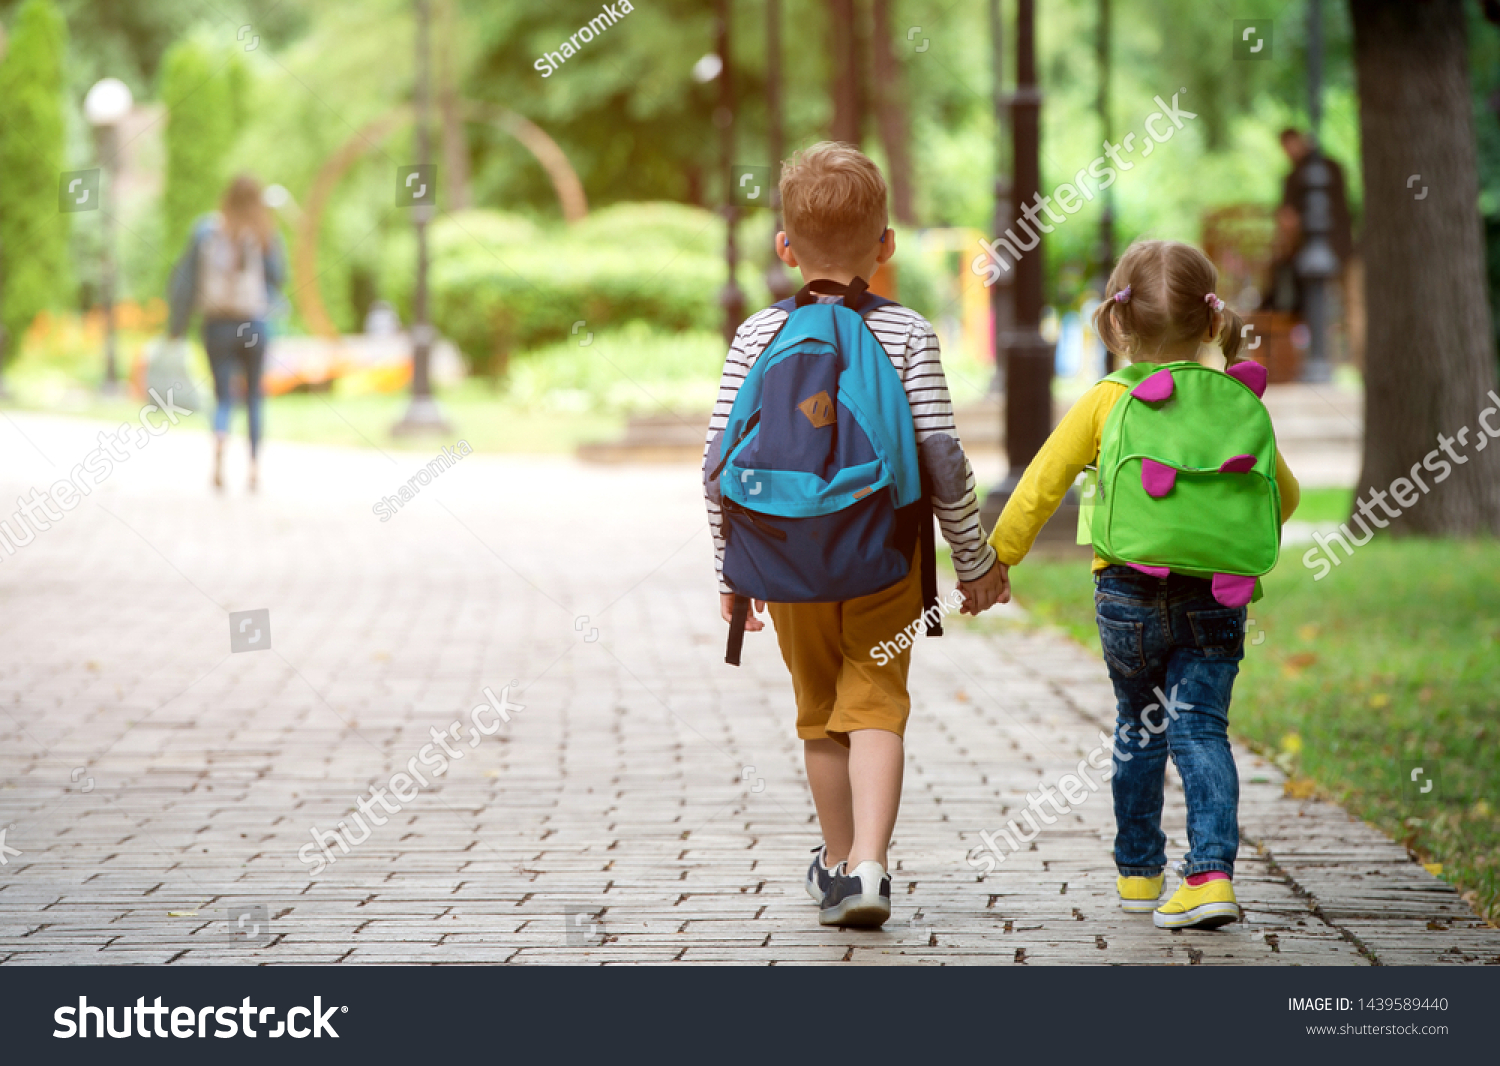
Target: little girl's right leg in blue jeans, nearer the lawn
(1201, 680)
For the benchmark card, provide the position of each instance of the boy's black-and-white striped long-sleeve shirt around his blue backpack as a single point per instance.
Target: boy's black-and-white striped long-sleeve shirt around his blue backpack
(910, 341)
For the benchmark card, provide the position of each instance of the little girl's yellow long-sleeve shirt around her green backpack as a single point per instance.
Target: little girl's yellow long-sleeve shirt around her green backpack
(1073, 446)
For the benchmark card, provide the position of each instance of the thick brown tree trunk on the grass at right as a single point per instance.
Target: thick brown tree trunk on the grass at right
(1430, 359)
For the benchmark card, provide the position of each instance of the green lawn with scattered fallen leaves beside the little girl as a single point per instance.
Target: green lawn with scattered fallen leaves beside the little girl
(1391, 662)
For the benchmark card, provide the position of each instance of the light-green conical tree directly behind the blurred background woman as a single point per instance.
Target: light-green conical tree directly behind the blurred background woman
(203, 89)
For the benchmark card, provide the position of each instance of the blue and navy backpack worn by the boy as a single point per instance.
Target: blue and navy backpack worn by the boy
(817, 470)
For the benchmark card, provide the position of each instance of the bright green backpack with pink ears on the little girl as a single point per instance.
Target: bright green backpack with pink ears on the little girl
(1187, 478)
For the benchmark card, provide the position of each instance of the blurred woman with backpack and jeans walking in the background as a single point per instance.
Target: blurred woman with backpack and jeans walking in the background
(230, 272)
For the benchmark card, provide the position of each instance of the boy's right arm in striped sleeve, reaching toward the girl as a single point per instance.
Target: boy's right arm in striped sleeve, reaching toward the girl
(947, 469)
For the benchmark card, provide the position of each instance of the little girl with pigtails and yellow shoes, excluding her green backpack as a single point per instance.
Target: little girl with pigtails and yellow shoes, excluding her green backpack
(1172, 648)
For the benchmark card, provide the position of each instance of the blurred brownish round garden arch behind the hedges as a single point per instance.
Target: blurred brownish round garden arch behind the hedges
(308, 295)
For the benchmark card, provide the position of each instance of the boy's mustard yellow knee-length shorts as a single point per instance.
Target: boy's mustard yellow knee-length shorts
(833, 651)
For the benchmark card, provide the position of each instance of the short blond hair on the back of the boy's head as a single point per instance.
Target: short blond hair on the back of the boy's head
(833, 200)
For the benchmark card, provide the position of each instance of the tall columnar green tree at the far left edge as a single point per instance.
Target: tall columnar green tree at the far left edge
(34, 233)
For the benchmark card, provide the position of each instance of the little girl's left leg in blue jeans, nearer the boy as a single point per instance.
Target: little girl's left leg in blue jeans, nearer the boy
(1129, 617)
